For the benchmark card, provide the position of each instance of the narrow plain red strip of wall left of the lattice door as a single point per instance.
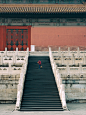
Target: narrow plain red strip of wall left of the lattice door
(2, 38)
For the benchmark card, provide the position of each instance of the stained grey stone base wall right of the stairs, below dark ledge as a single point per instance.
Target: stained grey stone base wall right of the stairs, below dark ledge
(75, 91)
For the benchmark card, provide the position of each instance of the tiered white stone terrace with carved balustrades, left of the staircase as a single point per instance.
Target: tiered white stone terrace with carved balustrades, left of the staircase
(11, 65)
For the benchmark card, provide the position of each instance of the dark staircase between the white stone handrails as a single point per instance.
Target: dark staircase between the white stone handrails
(40, 90)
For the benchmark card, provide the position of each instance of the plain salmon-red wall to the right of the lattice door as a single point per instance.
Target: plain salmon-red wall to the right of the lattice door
(58, 36)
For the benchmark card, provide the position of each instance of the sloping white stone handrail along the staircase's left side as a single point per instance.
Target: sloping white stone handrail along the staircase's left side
(21, 83)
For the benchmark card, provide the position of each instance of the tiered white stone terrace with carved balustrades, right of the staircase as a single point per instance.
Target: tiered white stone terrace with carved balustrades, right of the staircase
(72, 67)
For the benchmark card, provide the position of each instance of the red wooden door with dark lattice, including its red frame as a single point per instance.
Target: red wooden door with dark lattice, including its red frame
(18, 36)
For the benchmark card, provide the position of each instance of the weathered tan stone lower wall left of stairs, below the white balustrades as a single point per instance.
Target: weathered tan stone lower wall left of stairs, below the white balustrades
(8, 88)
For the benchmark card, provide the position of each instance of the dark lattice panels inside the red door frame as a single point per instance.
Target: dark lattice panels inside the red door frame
(17, 38)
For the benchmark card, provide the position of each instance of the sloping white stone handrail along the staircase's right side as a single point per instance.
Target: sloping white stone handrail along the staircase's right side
(58, 80)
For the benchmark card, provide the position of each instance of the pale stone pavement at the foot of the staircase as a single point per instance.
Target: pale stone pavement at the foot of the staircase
(73, 109)
